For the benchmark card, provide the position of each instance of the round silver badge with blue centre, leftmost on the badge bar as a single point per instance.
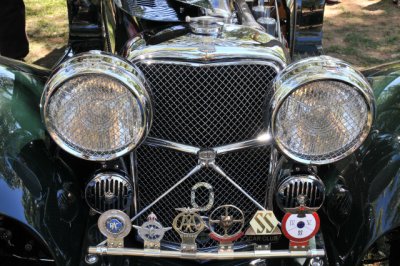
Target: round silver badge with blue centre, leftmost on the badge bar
(115, 225)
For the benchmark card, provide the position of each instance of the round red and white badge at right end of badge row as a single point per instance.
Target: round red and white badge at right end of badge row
(300, 228)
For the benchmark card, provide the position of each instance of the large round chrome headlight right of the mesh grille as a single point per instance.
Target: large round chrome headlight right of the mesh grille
(322, 110)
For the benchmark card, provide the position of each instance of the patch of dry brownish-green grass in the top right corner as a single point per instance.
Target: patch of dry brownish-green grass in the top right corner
(362, 32)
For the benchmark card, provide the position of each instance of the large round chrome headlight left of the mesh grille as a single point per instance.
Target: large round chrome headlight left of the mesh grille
(96, 106)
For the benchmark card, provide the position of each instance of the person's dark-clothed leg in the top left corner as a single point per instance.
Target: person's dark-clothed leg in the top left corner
(13, 39)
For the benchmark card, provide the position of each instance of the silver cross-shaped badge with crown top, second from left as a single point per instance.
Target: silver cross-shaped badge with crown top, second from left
(152, 232)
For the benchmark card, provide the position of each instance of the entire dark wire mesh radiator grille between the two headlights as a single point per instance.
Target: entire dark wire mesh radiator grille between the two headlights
(204, 106)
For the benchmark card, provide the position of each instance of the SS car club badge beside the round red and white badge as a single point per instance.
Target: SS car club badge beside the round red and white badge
(263, 227)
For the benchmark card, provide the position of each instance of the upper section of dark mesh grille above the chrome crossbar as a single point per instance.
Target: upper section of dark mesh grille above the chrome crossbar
(208, 106)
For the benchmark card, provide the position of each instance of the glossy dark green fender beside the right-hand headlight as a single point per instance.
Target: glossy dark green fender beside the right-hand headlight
(372, 175)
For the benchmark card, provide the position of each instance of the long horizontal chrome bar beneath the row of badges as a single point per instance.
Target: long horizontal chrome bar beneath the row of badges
(258, 254)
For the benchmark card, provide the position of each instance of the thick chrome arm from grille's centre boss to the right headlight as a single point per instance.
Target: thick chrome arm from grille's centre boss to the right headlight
(262, 140)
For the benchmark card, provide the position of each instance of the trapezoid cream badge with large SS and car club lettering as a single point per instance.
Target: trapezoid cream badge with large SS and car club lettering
(263, 223)
